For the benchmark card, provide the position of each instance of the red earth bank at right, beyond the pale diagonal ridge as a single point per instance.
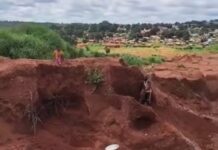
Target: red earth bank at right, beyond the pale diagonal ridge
(187, 88)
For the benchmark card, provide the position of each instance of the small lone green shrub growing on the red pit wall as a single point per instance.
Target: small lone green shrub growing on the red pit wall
(95, 77)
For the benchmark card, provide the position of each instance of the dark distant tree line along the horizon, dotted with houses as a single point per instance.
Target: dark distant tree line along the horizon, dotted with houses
(97, 31)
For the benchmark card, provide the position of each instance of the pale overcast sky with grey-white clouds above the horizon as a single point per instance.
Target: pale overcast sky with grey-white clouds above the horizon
(115, 11)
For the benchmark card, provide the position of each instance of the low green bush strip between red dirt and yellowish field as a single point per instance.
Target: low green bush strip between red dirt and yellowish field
(139, 61)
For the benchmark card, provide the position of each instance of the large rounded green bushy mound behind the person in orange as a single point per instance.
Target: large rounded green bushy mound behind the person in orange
(32, 41)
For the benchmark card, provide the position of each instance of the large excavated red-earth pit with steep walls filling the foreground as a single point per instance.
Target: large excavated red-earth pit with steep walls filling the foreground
(47, 107)
